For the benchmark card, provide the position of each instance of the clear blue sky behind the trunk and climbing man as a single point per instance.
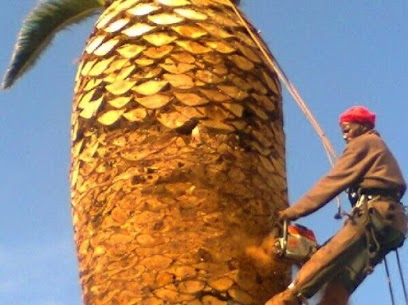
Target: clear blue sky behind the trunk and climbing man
(337, 53)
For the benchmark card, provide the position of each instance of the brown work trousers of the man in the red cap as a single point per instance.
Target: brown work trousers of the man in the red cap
(363, 241)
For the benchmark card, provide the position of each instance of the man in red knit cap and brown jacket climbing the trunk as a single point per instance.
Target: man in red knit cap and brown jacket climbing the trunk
(377, 224)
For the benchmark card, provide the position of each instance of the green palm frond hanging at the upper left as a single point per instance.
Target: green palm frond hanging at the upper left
(40, 27)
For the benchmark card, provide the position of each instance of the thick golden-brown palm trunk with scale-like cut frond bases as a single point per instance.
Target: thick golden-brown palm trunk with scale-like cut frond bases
(178, 160)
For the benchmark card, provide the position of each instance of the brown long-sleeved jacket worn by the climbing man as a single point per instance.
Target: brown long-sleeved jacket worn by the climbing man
(366, 162)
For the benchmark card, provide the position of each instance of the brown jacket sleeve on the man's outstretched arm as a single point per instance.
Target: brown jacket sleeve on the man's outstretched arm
(347, 171)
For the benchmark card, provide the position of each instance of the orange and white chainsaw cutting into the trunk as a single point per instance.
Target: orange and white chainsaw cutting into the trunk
(295, 242)
